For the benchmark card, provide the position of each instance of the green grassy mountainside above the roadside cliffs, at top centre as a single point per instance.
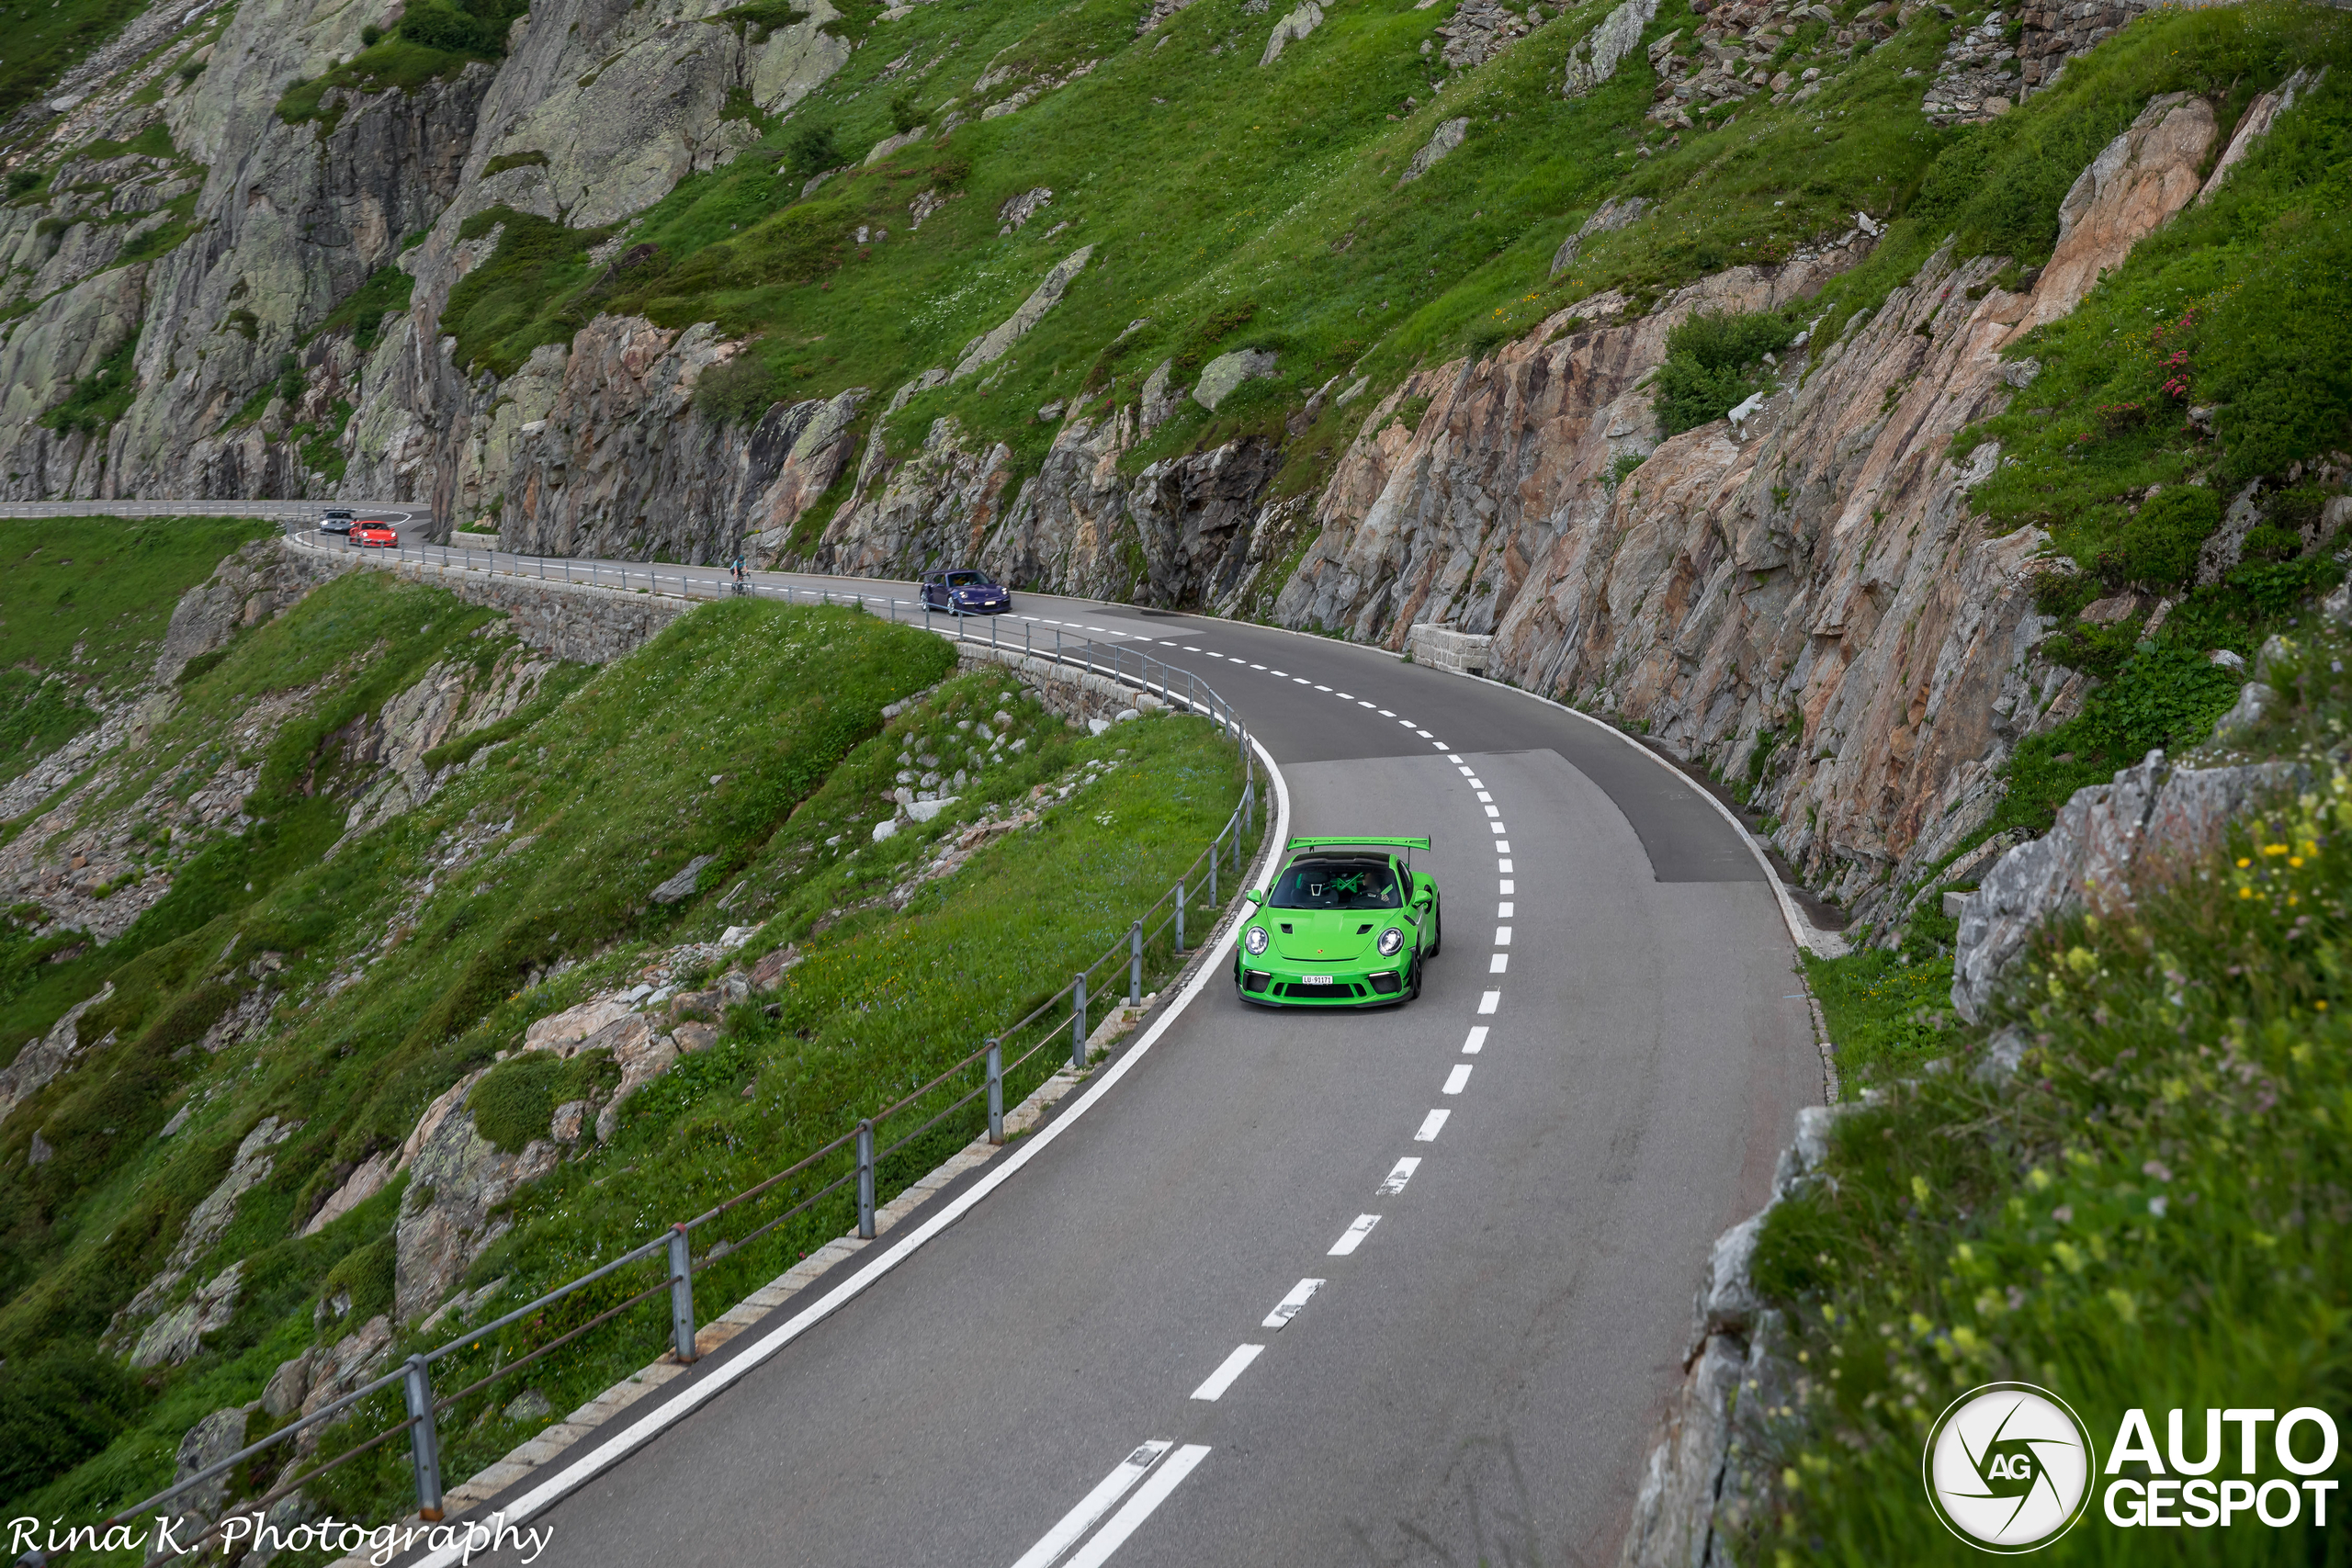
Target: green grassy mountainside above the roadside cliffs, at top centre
(1229, 203)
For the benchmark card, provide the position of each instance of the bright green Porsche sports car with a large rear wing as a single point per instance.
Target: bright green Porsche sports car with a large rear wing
(1344, 925)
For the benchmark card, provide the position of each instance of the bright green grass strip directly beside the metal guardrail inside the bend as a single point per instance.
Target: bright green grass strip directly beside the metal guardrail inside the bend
(860, 1024)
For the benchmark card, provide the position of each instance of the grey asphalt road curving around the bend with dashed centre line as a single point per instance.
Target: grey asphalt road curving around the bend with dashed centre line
(1596, 1083)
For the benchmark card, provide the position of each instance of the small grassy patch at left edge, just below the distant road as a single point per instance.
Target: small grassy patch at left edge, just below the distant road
(83, 615)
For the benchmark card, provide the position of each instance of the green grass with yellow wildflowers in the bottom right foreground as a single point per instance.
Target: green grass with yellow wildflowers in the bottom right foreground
(2149, 1217)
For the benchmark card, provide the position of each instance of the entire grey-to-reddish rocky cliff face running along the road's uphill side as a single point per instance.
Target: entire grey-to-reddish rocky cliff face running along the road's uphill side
(1800, 594)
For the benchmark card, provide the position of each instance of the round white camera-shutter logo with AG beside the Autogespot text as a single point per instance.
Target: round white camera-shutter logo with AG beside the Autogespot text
(2010, 1468)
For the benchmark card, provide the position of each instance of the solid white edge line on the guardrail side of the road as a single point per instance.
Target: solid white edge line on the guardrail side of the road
(766, 1346)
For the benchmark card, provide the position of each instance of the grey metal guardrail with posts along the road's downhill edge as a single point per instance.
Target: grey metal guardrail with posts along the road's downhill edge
(676, 1249)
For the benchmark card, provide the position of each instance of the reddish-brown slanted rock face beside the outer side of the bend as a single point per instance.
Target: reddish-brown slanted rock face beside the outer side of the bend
(1805, 579)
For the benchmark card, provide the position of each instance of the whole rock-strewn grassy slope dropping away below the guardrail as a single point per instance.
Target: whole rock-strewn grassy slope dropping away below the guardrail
(615, 791)
